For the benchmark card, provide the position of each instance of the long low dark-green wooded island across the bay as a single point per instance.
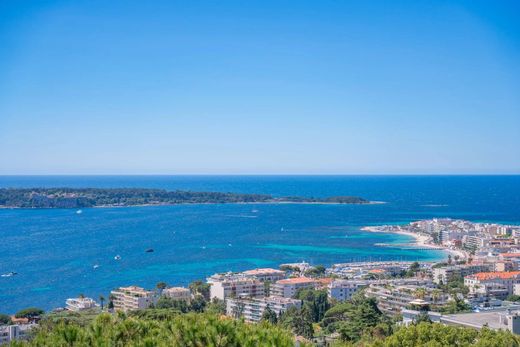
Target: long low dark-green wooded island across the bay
(121, 197)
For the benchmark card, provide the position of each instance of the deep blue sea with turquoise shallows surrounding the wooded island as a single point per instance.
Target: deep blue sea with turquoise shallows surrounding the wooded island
(54, 250)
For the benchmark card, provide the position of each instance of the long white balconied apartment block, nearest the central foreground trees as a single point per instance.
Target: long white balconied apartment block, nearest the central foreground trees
(252, 309)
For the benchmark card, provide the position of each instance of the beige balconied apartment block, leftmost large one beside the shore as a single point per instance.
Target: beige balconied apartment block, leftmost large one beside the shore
(133, 298)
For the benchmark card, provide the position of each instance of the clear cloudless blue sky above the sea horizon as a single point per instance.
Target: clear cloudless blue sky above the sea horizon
(279, 87)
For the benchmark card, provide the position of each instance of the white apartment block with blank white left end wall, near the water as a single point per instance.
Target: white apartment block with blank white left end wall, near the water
(225, 287)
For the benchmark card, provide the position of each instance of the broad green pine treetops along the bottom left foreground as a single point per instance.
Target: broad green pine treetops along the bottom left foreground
(176, 331)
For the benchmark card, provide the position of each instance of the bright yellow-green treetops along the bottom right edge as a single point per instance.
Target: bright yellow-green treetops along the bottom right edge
(438, 335)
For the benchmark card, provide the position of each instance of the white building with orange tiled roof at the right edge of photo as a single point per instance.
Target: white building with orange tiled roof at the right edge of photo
(481, 280)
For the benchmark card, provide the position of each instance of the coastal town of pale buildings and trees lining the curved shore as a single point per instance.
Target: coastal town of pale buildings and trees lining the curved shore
(476, 286)
